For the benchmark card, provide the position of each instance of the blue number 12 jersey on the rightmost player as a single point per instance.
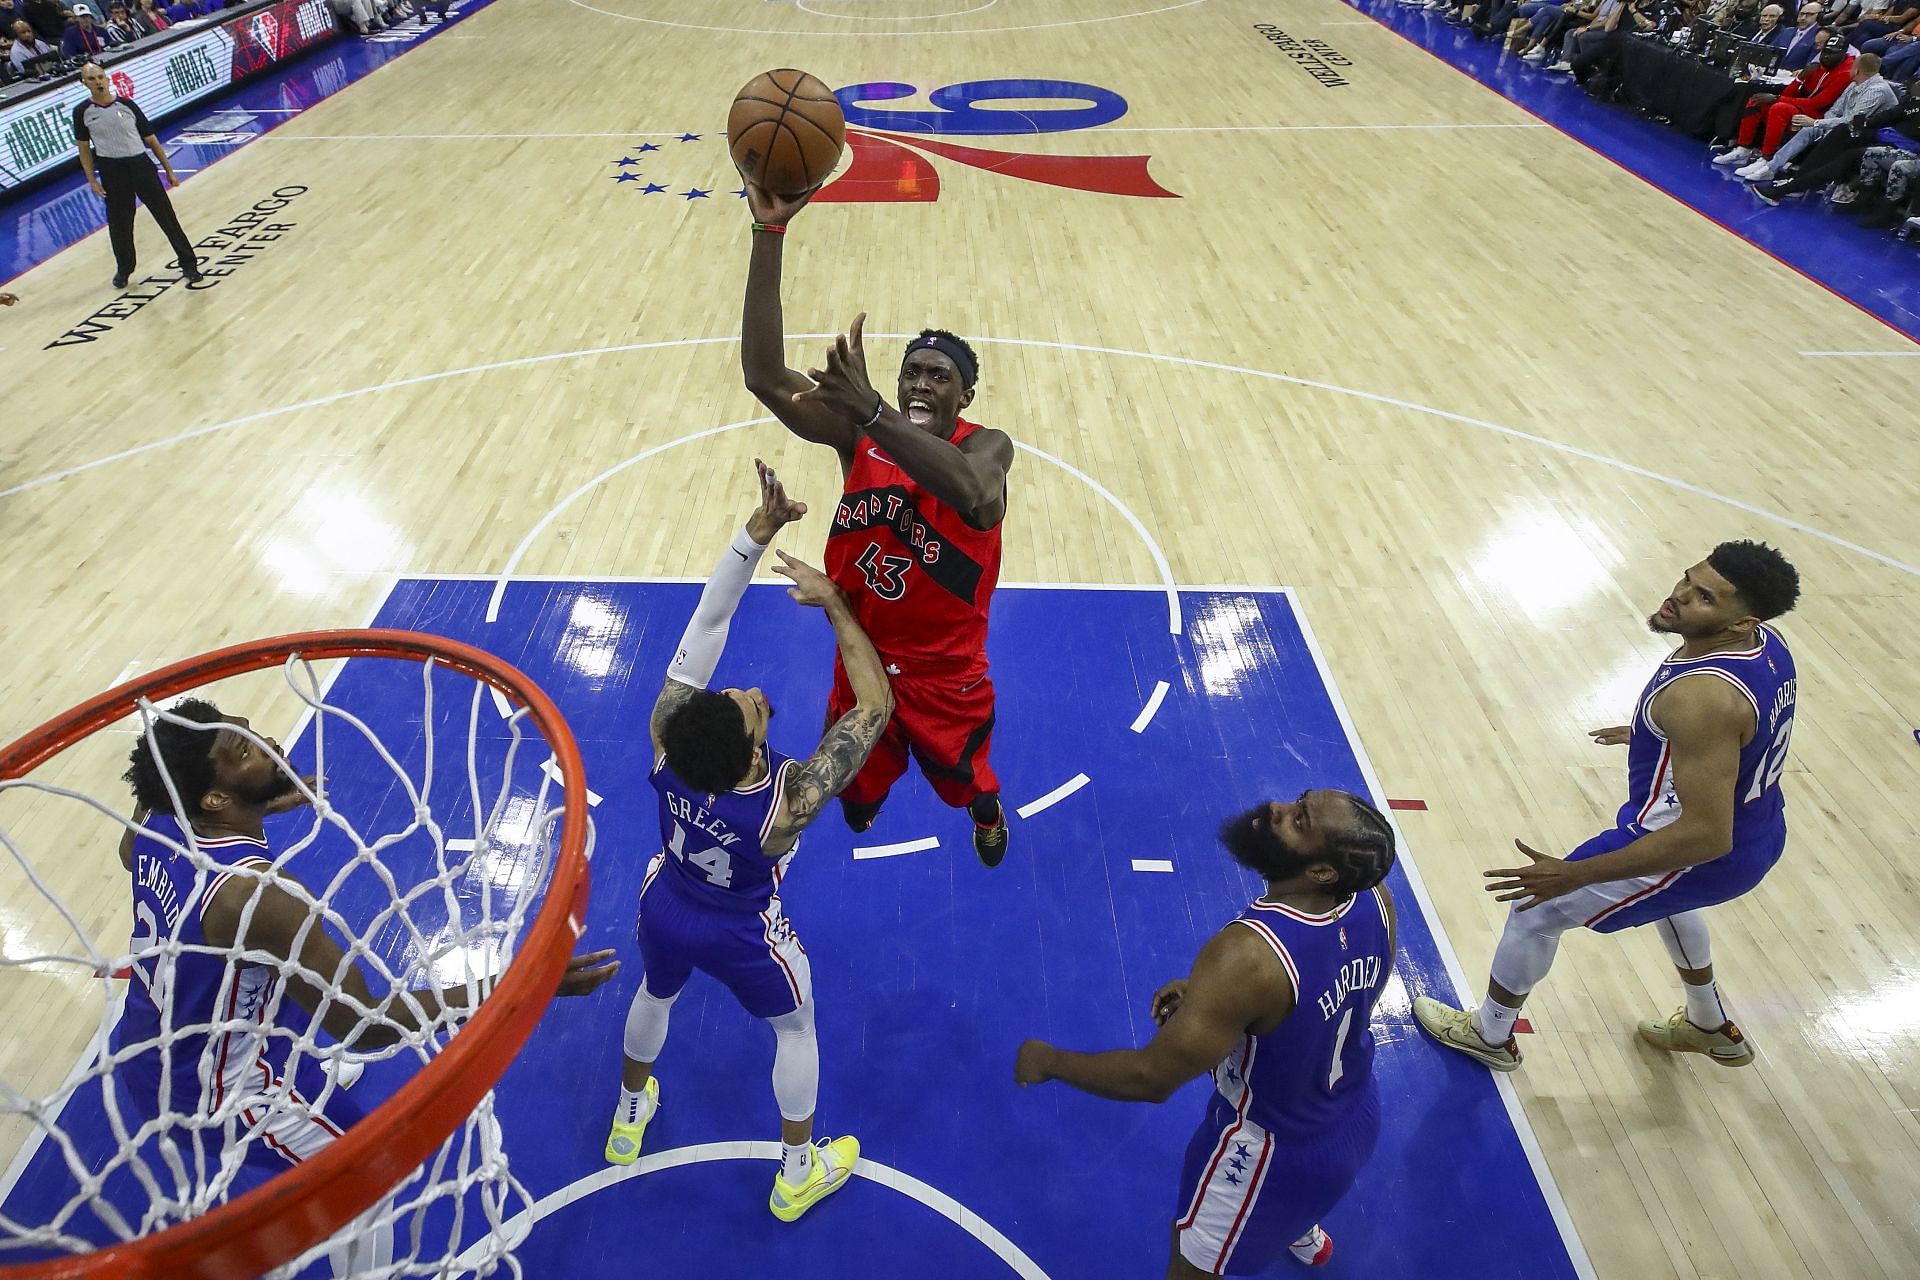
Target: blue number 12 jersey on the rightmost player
(1764, 675)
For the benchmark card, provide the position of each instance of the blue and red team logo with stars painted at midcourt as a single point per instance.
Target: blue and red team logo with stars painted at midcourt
(892, 153)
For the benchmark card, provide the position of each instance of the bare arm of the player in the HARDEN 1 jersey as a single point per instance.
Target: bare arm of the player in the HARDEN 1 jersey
(1234, 985)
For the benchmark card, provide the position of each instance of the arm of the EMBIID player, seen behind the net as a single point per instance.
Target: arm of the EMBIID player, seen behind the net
(279, 930)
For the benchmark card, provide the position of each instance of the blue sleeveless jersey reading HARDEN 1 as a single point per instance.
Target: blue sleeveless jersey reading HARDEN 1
(1308, 1074)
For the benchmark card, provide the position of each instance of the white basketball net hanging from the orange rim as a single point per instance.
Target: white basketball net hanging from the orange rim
(446, 914)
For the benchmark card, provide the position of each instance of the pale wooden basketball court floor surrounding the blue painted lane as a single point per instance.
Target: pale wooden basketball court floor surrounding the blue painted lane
(1464, 385)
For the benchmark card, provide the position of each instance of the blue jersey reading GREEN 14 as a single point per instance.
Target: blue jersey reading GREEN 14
(715, 840)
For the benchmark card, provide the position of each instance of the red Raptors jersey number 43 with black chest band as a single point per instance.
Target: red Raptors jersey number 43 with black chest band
(917, 573)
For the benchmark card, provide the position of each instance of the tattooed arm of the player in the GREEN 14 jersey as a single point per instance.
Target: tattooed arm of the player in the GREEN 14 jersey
(853, 736)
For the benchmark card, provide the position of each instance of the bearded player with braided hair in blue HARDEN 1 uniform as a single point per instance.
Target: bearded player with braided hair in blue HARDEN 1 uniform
(1278, 1010)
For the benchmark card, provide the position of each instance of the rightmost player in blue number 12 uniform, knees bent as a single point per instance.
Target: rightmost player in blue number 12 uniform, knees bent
(1704, 818)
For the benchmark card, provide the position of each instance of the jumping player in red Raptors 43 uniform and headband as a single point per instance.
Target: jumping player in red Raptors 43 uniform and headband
(917, 538)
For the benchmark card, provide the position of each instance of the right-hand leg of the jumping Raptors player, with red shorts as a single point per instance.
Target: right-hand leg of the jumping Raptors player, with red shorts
(949, 728)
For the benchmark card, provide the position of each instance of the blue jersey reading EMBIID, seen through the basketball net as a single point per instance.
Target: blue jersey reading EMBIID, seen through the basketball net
(189, 989)
